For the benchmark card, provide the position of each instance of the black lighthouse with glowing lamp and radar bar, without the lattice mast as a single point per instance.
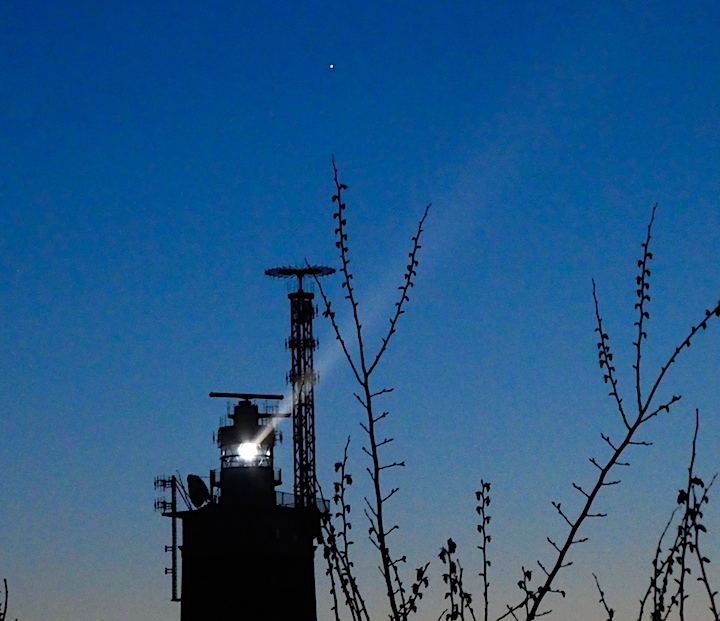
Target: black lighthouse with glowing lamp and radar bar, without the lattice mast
(247, 551)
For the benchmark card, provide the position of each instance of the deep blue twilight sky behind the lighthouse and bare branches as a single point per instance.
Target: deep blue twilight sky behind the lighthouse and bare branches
(158, 157)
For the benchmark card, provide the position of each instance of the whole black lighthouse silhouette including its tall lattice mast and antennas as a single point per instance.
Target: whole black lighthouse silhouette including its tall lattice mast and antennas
(248, 551)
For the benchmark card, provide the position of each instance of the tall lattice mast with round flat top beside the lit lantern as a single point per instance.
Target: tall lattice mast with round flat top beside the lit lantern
(302, 378)
